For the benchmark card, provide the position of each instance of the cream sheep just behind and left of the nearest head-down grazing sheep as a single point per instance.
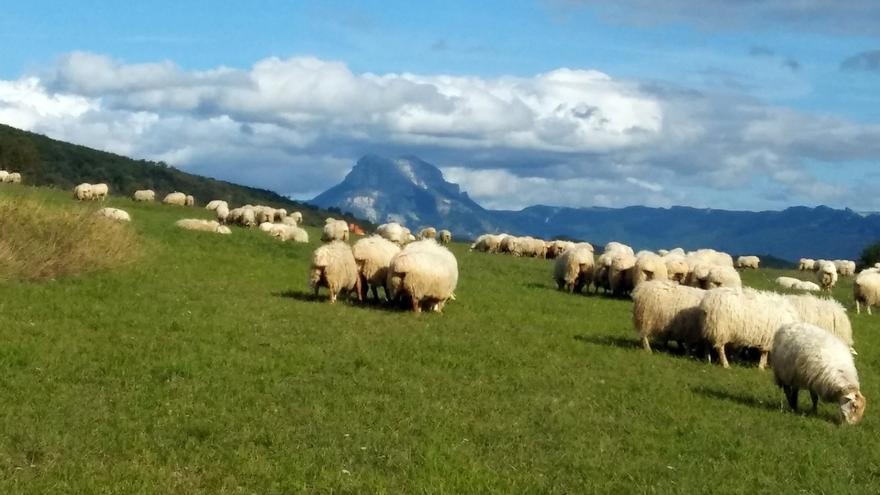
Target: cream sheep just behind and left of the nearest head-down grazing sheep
(744, 318)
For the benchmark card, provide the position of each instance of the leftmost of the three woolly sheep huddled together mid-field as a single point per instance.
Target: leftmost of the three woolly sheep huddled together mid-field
(333, 266)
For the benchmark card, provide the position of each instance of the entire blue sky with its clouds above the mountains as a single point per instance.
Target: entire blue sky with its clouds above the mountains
(713, 103)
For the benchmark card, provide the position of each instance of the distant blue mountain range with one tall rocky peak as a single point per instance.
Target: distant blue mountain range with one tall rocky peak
(414, 192)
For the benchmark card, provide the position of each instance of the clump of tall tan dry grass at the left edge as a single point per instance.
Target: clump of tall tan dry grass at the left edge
(39, 242)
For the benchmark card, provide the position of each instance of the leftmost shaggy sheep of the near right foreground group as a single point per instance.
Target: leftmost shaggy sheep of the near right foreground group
(667, 311)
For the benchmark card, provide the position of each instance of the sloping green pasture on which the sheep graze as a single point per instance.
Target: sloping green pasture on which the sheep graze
(206, 367)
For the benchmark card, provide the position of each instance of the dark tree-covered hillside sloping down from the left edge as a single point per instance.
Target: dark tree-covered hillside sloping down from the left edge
(48, 162)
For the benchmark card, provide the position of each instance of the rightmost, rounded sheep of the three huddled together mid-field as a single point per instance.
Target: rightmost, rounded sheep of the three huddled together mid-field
(424, 272)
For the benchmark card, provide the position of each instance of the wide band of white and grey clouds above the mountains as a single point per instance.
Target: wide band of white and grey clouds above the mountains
(567, 136)
